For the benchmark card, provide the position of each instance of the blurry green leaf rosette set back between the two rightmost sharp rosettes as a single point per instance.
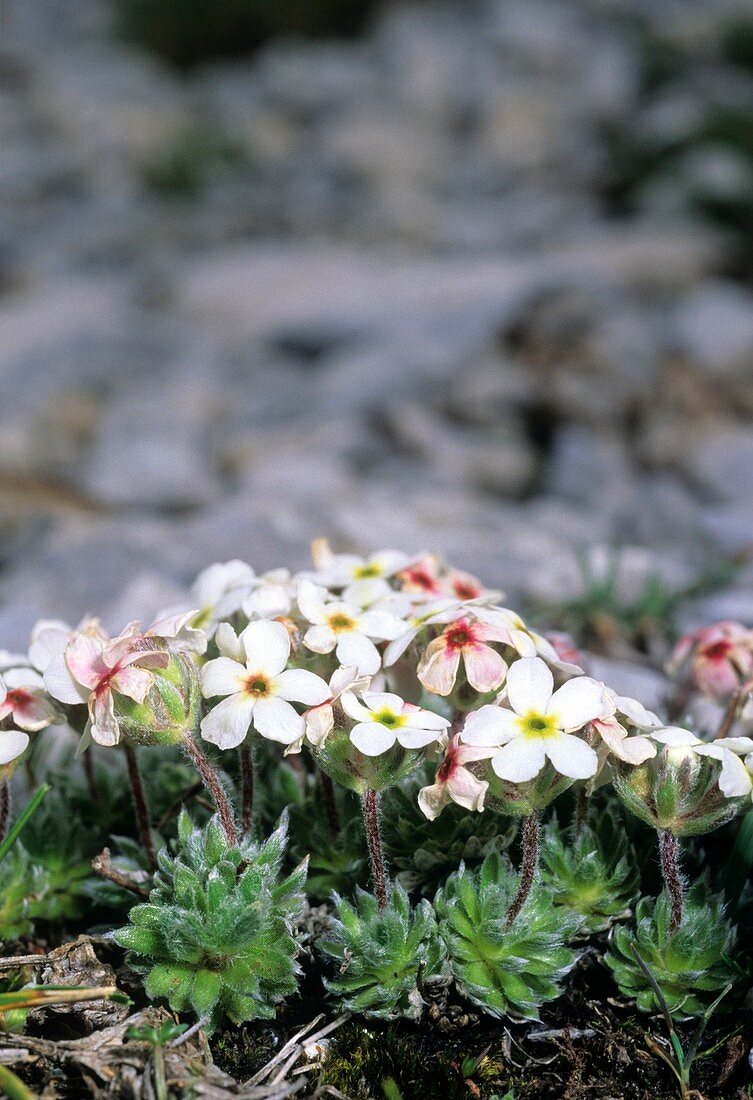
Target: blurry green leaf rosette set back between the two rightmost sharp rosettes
(592, 872)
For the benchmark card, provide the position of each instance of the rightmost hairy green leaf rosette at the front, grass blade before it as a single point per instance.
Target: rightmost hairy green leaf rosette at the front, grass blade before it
(691, 966)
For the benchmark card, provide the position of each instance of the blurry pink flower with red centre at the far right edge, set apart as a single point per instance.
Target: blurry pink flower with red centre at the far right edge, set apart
(718, 659)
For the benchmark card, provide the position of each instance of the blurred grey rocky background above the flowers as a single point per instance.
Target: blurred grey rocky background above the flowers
(468, 277)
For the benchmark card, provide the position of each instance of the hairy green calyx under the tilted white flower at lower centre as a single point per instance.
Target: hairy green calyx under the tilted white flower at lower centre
(344, 763)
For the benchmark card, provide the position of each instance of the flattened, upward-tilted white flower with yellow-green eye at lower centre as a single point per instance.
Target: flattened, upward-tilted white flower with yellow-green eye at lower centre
(384, 719)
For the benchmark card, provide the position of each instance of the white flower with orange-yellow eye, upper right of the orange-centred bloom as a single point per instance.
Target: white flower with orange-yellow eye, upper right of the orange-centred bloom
(346, 629)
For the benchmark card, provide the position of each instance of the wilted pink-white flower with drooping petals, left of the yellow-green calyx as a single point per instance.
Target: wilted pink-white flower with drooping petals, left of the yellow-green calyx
(93, 668)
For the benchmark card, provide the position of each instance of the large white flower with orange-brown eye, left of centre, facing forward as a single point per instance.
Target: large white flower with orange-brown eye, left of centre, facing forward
(259, 692)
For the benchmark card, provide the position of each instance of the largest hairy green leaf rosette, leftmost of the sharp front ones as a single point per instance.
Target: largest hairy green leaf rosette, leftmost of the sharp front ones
(217, 934)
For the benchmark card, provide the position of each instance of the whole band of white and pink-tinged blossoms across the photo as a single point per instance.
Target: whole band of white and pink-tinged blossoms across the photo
(396, 651)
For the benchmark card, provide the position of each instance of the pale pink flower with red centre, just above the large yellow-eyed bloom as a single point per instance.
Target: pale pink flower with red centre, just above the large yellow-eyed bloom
(464, 640)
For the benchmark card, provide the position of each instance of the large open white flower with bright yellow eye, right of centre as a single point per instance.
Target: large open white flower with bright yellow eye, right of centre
(540, 724)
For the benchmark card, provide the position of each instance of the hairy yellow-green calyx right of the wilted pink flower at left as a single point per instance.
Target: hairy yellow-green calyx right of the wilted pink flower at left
(171, 710)
